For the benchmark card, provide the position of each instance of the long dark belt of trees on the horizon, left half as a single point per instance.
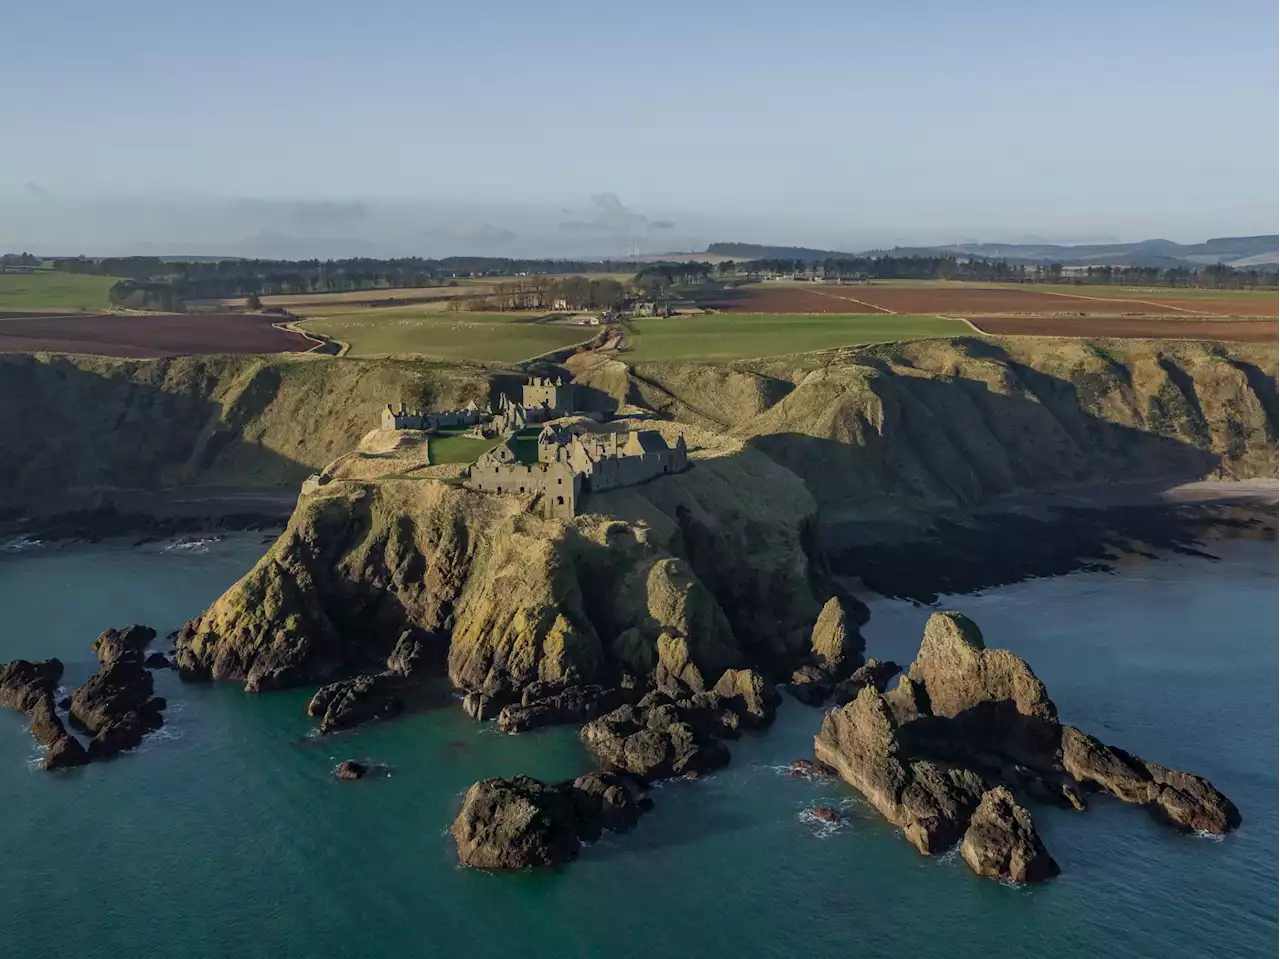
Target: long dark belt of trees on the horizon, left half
(217, 280)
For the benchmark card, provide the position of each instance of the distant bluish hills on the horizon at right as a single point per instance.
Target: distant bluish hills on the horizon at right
(1259, 253)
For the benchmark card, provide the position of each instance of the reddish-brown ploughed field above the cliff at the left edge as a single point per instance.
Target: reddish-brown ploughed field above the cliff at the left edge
(148, 335)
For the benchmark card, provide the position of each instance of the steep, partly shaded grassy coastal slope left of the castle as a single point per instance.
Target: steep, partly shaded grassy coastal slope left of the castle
(81, 426)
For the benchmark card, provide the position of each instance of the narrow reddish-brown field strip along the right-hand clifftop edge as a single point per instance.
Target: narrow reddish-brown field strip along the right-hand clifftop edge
(1132, 327)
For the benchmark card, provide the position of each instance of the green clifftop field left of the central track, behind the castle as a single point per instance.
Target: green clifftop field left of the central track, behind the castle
(450, 336)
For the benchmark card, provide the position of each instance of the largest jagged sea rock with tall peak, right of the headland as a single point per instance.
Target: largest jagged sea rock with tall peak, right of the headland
(939, 753)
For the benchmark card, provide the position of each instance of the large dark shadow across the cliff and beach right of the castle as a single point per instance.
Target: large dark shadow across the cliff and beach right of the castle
(941, 496)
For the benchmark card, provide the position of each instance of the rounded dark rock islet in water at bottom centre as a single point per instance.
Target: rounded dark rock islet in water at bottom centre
(513, 824)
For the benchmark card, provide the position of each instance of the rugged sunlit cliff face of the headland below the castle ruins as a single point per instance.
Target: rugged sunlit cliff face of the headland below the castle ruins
(696, 573)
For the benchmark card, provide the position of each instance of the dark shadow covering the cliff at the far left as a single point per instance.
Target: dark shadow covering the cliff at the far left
(80, 442)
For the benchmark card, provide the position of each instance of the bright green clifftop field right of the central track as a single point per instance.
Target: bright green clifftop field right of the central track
(748, 336)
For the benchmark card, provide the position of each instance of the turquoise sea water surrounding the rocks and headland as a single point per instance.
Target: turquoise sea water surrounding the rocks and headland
(226, 837)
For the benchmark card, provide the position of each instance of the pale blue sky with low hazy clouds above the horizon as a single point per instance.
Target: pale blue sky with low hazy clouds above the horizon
(563, 129)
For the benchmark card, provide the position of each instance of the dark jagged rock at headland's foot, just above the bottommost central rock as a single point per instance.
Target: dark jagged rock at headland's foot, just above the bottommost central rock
(653, 745)
